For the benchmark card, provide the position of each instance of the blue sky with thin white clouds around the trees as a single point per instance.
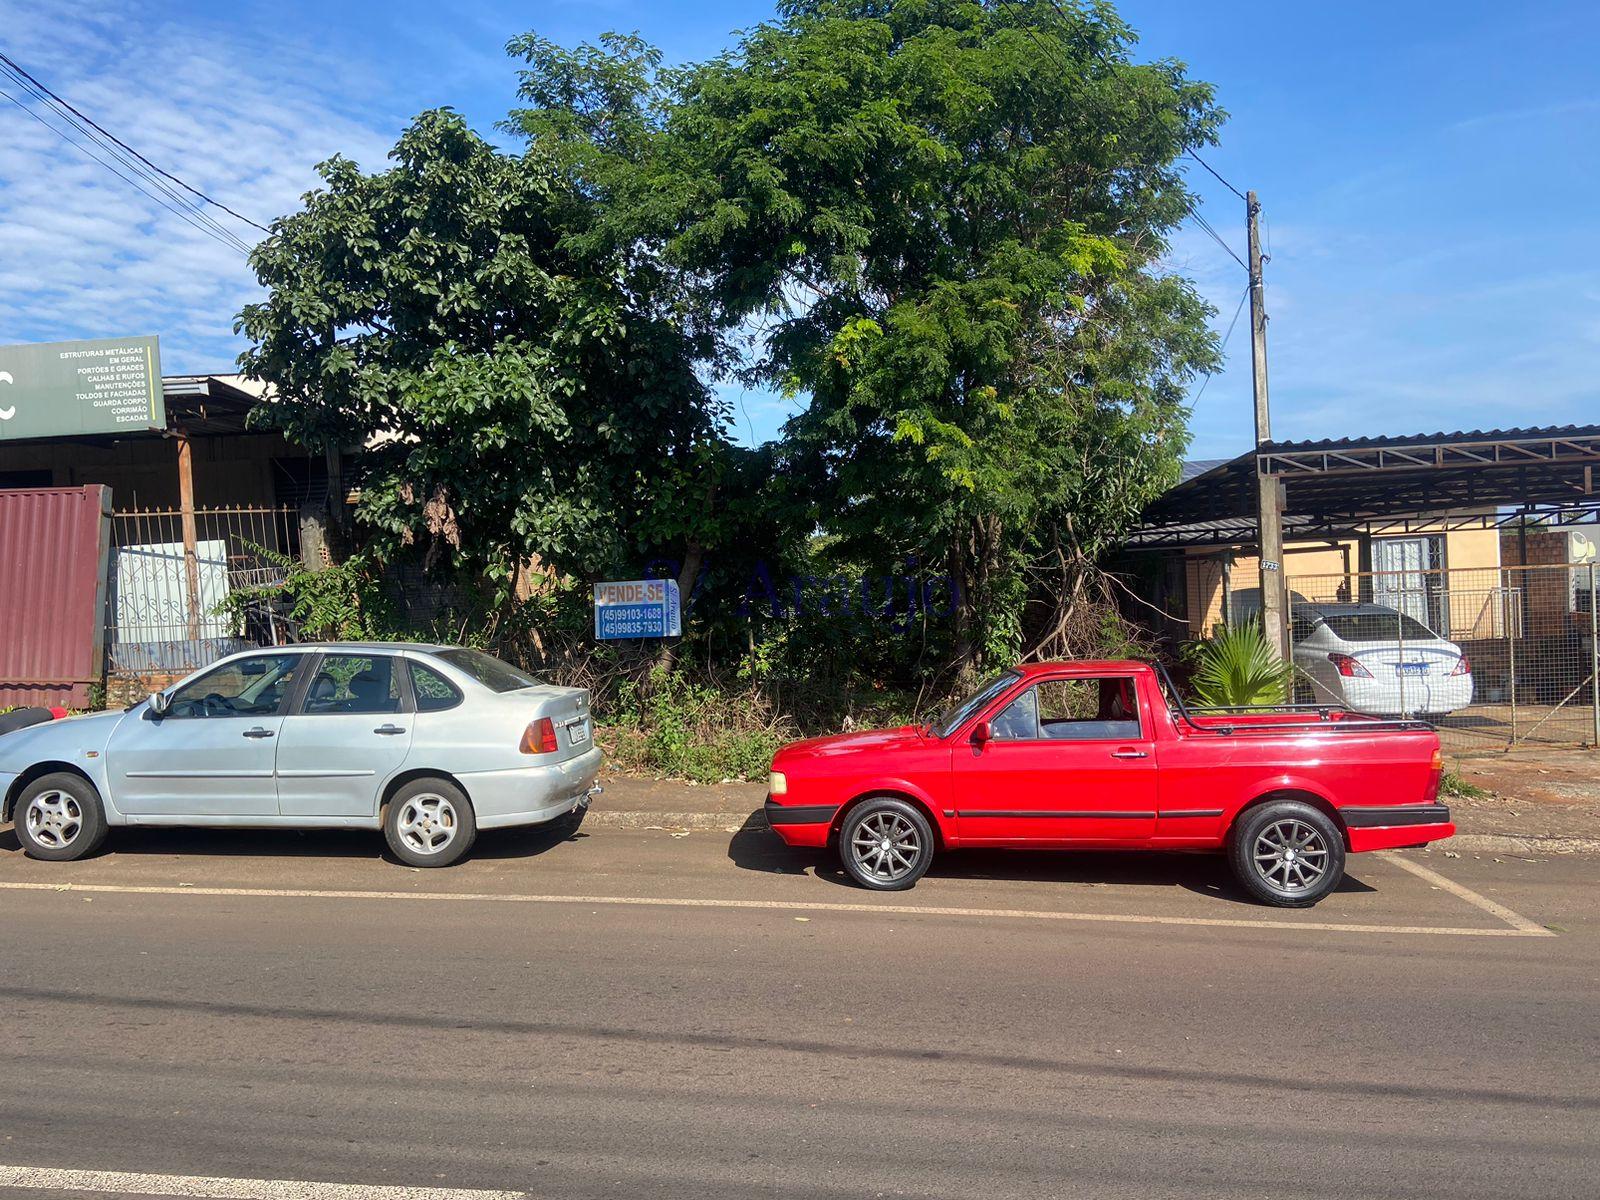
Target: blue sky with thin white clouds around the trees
(1430, 175)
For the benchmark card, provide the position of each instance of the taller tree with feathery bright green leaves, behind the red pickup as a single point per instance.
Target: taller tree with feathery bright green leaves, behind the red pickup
(943, 225)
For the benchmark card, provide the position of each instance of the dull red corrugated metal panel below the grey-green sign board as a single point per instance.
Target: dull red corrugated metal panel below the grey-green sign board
(55, 553)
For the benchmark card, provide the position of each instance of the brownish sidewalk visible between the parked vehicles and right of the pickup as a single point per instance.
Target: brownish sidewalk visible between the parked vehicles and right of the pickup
(1558, 818)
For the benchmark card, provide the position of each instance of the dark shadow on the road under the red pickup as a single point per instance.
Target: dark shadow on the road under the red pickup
(756, 847)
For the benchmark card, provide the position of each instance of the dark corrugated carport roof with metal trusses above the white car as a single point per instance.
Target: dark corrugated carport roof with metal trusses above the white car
(1343, 486)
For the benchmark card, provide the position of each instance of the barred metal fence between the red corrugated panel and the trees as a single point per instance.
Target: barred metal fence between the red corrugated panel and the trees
(182, 585)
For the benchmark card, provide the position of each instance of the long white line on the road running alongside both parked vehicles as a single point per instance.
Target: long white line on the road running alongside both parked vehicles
(780, 906)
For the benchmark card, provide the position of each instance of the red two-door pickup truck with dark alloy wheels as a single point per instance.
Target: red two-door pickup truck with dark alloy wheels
(1106, 756)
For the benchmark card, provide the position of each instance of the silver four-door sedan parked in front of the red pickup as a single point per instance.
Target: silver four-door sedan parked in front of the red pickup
(426, 743)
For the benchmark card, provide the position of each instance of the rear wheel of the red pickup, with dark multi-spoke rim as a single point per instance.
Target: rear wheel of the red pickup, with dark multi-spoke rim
(1287, 854)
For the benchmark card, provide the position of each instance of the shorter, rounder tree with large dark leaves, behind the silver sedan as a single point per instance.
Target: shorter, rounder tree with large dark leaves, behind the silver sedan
(516, 391)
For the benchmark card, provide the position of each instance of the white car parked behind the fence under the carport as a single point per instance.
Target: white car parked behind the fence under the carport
(1374, 658)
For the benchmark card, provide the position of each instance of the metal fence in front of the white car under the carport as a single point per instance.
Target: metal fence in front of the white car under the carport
(1495, 657)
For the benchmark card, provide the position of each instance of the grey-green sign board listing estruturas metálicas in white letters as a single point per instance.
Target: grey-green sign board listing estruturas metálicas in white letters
(74, 390)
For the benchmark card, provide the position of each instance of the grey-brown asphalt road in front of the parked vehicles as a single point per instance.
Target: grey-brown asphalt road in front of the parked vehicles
(1041, 1026)
